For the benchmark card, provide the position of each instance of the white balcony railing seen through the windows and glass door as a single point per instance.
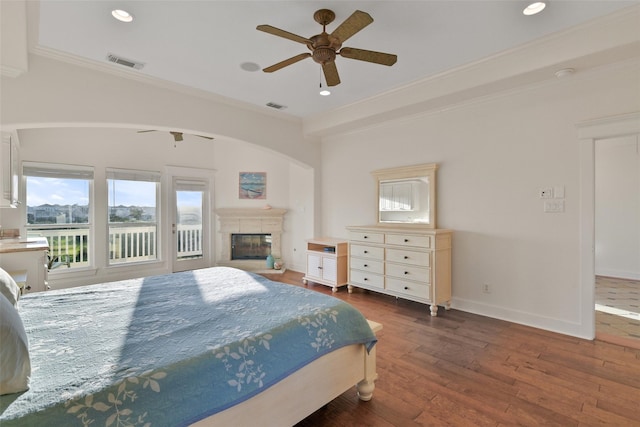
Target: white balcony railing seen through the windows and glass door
(126, 244)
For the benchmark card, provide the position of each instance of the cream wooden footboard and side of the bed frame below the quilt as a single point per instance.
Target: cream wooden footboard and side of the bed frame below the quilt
(306, 390)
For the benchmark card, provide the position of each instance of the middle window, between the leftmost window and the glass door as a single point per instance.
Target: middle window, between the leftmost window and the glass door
(133, 214)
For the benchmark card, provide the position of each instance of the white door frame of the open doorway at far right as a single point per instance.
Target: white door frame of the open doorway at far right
(589, 133)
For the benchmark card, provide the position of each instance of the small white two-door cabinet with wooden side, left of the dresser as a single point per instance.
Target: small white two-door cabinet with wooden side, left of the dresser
(327, 261)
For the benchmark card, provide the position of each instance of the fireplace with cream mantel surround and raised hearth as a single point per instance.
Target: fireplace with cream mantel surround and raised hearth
(250, 221)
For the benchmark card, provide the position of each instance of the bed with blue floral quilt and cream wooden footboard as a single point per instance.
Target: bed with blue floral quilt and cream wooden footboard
(209, 347)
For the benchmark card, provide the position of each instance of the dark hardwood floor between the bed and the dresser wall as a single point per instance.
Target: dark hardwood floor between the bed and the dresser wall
(462, 369)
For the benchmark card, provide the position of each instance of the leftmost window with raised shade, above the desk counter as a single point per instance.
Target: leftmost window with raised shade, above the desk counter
(59, 208)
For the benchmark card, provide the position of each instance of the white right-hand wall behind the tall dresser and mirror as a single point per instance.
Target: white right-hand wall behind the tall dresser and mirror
(494, 155)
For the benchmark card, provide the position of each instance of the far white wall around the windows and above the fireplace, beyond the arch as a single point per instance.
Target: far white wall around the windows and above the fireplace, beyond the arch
(125, 148)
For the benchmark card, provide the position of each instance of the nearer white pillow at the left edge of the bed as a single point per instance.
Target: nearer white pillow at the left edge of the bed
(15, 364)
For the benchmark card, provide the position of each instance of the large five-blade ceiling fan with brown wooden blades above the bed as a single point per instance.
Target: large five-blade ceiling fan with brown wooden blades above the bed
(324, 47)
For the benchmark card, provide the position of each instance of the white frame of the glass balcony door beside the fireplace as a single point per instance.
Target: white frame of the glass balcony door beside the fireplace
(196, 174)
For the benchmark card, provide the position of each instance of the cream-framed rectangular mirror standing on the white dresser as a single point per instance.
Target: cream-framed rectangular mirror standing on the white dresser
(407, 195)
